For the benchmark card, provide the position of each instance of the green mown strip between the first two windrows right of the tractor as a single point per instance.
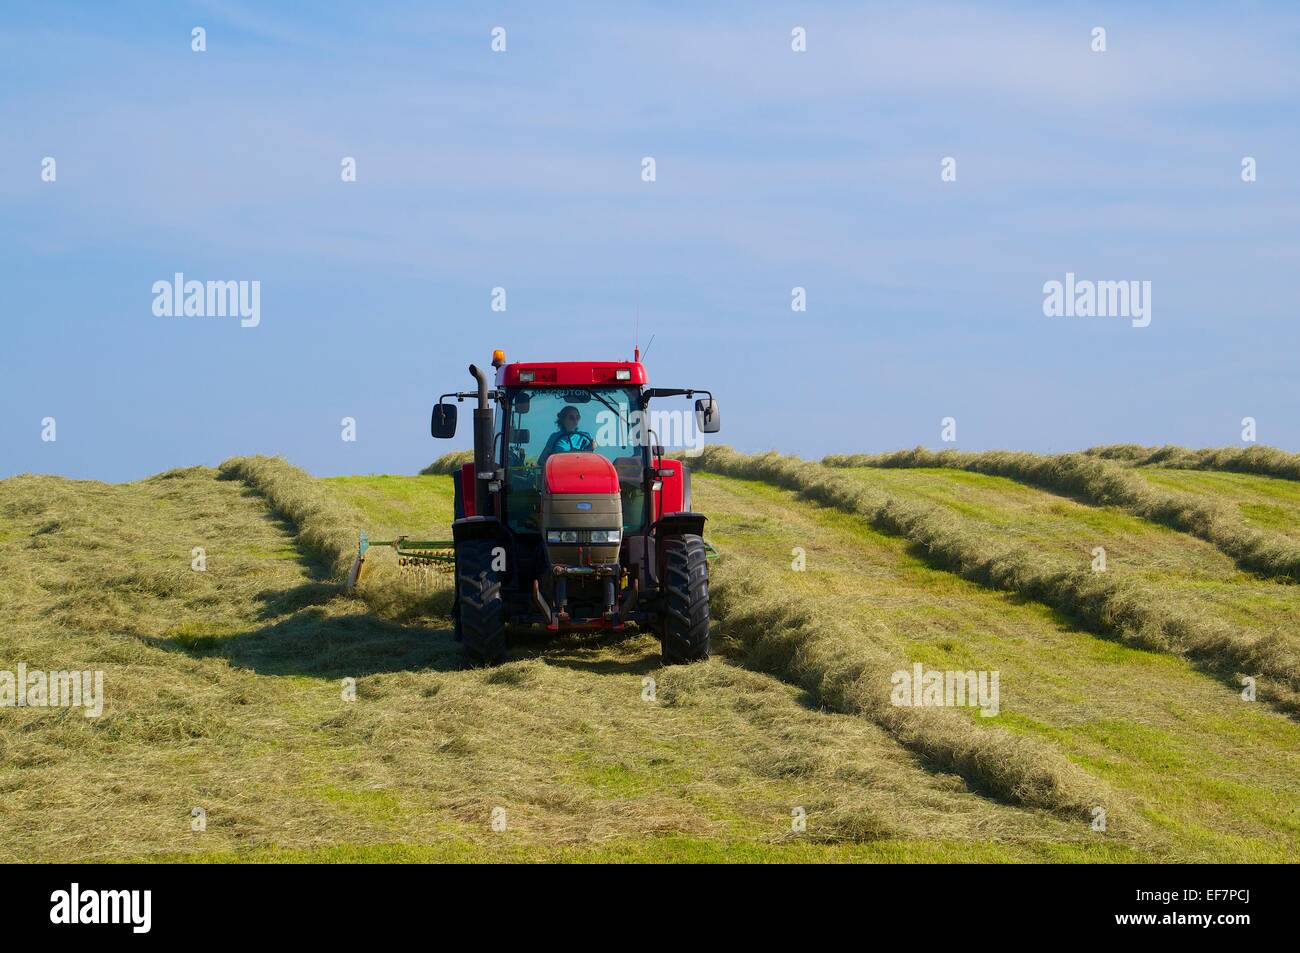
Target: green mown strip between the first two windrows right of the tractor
(1208, 776)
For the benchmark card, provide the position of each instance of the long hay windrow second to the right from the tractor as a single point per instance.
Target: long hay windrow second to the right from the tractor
(1120, 608)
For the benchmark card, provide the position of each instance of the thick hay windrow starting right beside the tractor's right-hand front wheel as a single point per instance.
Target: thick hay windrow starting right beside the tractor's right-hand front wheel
(848, 672)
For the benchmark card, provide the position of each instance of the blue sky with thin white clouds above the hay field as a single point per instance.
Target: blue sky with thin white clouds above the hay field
(523, 170)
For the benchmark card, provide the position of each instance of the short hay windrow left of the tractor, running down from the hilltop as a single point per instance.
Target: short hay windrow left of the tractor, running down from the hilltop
(327, 531)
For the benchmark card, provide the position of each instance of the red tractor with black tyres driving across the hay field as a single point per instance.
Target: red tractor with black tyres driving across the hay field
(570, 517)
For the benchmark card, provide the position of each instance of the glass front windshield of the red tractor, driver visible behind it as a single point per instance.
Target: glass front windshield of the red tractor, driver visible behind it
(545, 422)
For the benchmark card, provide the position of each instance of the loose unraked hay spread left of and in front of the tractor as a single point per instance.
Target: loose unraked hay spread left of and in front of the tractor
(224, 691)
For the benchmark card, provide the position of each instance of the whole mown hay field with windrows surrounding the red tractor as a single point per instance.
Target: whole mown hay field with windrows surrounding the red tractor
(226, 690)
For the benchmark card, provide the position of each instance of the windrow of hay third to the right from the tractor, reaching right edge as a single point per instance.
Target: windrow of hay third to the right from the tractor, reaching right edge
(1103, 483)
